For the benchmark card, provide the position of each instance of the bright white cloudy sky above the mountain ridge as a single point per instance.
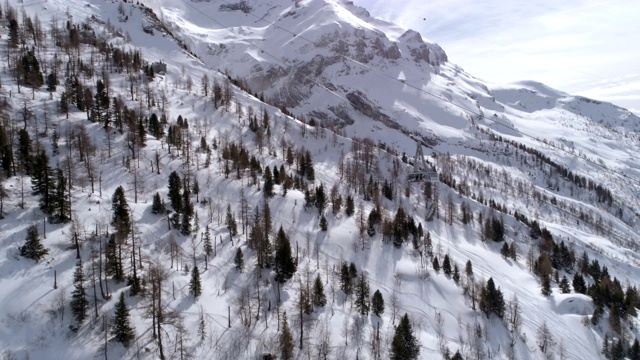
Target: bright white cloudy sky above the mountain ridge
(584, 47)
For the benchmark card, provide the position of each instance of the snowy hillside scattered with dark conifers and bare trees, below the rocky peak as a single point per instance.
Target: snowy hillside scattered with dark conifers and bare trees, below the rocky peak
(157, 202)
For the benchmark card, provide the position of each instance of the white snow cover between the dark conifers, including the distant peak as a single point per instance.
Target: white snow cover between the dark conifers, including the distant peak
(291, 52)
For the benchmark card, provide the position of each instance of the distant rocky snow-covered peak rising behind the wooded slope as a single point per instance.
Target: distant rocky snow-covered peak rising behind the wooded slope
(331, 62)
